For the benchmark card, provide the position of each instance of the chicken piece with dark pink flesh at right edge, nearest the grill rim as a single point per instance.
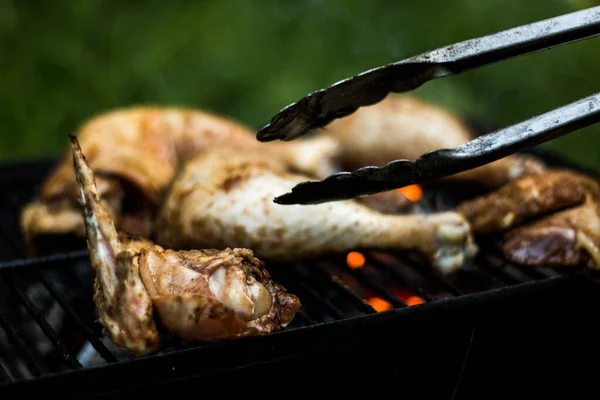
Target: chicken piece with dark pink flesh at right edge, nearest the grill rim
(567, 238)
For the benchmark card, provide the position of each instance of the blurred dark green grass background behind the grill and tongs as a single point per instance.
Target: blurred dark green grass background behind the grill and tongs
(62, 62)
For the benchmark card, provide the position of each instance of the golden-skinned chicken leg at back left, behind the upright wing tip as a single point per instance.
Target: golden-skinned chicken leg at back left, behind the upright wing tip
(135, 153)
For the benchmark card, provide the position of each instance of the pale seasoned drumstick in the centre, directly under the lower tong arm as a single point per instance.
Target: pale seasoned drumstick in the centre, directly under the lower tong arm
(224, 198)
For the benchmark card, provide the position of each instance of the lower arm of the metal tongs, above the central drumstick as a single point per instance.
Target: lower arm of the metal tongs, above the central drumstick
(444, 162)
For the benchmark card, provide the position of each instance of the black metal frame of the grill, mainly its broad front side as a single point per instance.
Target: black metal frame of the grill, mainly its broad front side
(443, 332)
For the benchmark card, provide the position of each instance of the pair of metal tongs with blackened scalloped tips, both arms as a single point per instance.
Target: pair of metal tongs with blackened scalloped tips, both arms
(343, 98)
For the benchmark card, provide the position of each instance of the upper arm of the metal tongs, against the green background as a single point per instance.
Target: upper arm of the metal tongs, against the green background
(343, 98)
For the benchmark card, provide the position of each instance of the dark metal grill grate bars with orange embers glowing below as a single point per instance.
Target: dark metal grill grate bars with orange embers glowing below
(47, 316)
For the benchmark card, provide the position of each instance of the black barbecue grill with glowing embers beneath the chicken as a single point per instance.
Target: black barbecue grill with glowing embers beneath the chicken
(390, 321)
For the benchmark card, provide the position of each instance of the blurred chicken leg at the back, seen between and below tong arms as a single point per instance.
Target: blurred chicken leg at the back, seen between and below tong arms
(404, 127)
